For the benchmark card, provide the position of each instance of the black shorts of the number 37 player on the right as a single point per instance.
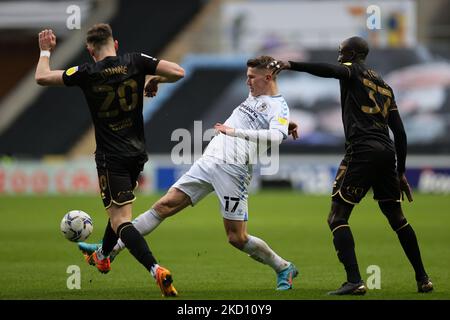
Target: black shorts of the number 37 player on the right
(369, 168)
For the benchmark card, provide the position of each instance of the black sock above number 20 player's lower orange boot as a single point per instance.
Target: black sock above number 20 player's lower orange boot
(136, 244)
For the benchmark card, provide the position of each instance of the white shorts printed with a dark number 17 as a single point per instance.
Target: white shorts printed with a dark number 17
(230, 182)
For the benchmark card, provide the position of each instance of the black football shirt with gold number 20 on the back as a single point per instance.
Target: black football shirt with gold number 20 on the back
(114, 89)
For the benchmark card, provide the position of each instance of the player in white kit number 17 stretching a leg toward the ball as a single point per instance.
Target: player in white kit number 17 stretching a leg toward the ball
(226, 168)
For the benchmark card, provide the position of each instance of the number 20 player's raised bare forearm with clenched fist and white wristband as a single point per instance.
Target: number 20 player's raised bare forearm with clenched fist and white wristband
(44, 75)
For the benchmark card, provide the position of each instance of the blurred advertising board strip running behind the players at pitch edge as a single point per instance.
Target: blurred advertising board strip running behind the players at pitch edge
(80, 177)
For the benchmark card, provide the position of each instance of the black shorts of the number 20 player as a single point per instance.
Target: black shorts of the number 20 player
(117, 177)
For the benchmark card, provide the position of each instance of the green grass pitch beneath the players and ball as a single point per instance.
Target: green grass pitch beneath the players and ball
(34, 256)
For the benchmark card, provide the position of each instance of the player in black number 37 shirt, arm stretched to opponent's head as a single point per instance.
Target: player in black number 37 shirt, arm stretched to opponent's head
(371, 160)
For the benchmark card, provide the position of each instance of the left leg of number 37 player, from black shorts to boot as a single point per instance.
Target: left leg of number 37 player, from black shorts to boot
(349, 188)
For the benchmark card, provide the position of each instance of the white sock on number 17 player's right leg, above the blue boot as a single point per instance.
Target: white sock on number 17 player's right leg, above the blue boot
(260, 251)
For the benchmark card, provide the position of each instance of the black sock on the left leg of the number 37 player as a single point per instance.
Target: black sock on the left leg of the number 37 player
(345, 248)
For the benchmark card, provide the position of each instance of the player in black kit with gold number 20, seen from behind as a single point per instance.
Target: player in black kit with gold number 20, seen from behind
(114, 88)
